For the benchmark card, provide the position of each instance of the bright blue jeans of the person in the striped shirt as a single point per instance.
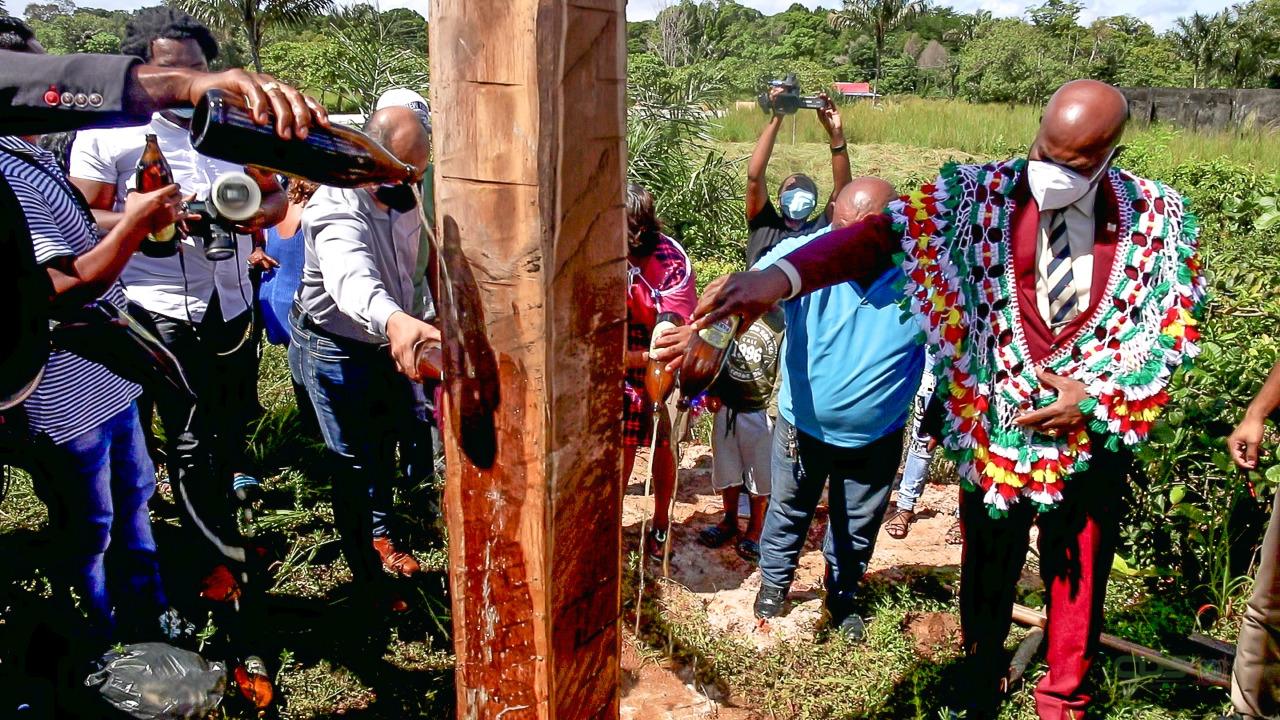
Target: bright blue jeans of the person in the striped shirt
(97, 487)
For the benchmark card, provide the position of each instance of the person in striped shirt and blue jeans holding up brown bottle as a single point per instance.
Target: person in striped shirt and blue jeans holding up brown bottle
(86, 450)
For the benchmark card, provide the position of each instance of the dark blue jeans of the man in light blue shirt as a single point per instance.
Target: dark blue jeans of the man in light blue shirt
(861, 481)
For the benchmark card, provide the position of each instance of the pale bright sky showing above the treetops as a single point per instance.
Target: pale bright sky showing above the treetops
(1160, 13)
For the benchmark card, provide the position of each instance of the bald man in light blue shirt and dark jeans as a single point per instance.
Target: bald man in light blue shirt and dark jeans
(851, 368)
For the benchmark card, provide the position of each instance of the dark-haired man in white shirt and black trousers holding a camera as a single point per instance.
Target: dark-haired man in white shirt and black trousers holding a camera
(200, 308)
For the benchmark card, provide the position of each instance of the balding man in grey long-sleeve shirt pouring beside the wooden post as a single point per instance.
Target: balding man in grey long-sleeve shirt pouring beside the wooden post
(354, 340)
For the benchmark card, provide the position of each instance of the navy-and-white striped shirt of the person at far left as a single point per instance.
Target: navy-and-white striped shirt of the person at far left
(75, 395)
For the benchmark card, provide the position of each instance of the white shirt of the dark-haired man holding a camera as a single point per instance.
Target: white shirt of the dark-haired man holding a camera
(177, 288)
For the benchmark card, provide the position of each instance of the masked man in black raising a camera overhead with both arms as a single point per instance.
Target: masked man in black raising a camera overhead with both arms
(798, 195)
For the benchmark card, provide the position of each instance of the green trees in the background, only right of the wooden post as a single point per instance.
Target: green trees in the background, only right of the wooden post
(913, 47)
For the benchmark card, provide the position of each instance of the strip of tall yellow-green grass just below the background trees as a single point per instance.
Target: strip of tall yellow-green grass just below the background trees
(988, 131)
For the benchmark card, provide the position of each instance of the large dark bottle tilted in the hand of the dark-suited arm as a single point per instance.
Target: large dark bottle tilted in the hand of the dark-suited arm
(222, 127)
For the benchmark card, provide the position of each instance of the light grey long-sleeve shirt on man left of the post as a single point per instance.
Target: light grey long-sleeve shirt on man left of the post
(360, 261)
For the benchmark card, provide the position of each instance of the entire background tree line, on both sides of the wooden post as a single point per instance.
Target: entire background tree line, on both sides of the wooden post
(350, 54)
